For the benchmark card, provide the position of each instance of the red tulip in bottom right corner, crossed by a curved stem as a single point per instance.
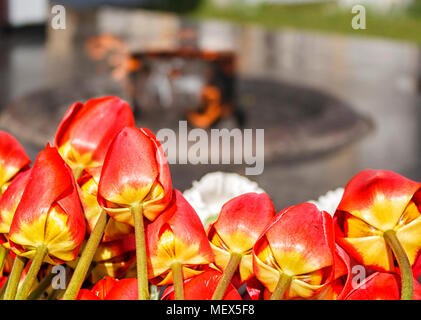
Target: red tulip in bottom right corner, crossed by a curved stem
(381, 286)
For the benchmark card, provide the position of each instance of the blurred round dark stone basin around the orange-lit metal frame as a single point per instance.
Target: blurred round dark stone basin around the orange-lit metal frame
(298, 122)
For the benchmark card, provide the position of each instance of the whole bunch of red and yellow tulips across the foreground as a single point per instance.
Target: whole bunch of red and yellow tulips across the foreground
(101, 203)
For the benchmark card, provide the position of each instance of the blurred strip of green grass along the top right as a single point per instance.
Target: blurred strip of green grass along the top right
(326, 17)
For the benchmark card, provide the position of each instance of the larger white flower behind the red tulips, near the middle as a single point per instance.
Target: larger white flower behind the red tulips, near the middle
(209, 194)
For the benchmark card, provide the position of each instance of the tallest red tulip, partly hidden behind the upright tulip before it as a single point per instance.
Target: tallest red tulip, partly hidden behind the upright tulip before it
(86, 131)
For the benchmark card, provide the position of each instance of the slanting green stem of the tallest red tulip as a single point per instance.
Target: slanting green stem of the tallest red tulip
(85, 260)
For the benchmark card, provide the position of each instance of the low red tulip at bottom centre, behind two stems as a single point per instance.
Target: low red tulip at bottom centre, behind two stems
(202, 287)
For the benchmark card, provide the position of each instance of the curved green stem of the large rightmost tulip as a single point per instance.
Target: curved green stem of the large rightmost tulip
(407, 288)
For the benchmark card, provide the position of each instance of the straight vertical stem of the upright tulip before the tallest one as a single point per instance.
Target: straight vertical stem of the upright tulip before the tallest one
(142, 264)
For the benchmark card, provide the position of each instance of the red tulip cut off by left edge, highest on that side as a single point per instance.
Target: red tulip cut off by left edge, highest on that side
(13, 159)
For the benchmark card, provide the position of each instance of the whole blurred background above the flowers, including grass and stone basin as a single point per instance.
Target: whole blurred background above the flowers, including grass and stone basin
(332, 100)
